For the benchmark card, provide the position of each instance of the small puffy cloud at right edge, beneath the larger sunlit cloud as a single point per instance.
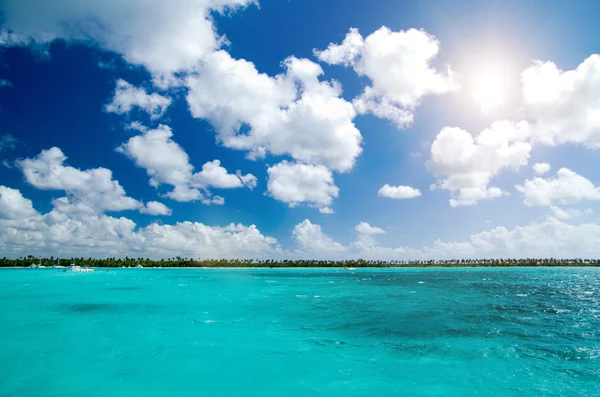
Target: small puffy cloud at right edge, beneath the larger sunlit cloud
(567, 188)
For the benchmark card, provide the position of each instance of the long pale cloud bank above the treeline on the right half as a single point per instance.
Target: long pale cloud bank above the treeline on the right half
(548, 238)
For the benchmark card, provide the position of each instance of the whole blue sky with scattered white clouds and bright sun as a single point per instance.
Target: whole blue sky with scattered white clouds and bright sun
(392, 130)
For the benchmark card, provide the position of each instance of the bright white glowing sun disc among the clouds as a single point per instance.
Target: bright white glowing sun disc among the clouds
(489, 89)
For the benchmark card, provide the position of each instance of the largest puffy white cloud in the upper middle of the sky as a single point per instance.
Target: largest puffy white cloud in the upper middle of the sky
(292, 113)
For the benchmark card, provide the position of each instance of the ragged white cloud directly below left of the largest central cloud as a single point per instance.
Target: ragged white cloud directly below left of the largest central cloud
(167, 163)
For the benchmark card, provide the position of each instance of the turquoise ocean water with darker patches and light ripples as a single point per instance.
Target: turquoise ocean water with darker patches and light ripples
(300, 332)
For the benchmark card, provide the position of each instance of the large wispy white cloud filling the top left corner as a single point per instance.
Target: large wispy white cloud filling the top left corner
(164, 38)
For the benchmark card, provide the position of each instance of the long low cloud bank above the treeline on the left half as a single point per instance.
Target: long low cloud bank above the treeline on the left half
(105, 236)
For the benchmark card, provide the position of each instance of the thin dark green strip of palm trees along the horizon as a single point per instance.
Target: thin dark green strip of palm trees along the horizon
(188, 262)
